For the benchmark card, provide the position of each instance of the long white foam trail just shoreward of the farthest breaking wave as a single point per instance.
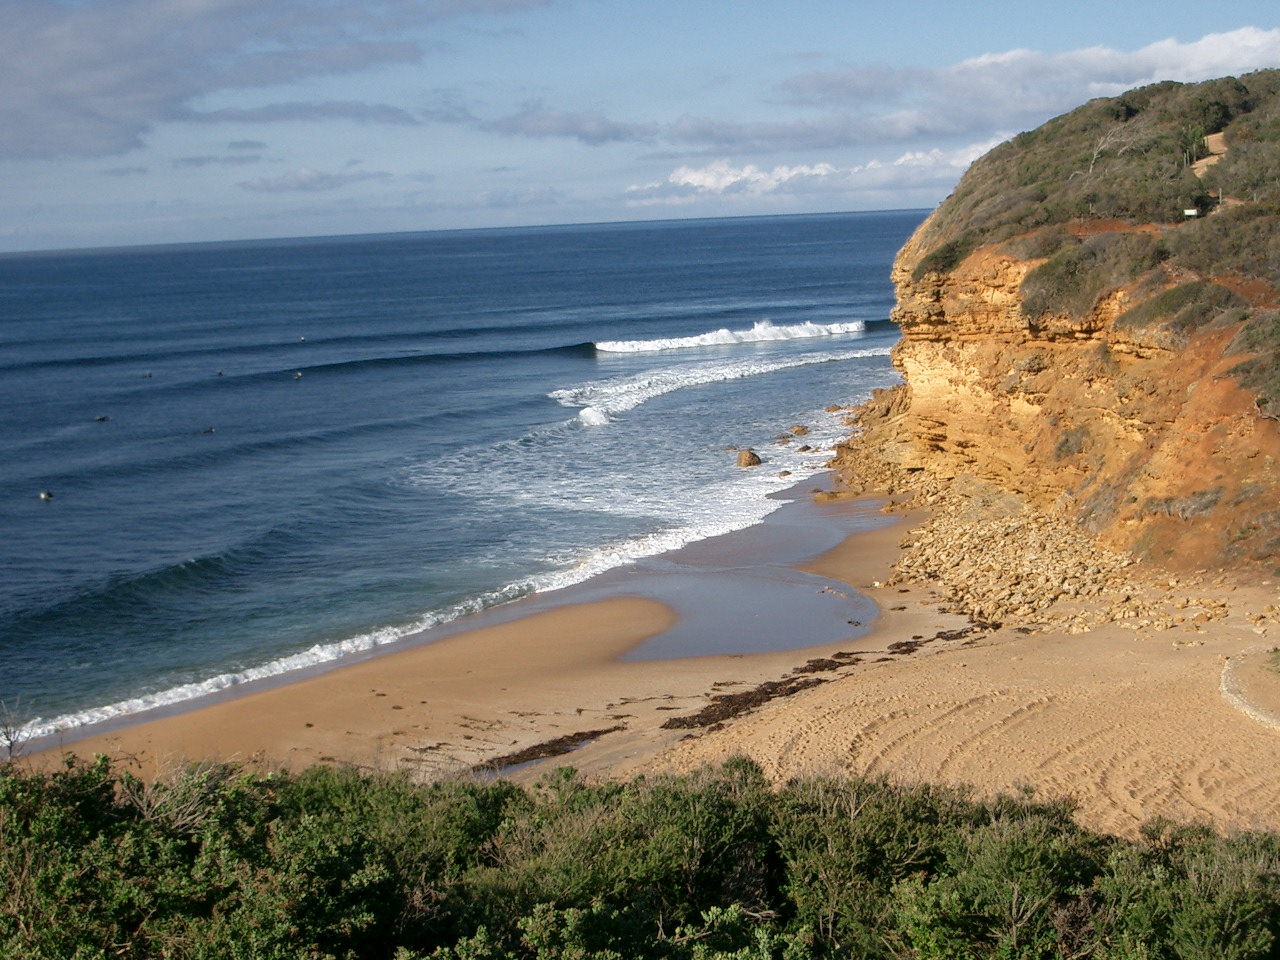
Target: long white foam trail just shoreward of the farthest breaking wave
(615, 396)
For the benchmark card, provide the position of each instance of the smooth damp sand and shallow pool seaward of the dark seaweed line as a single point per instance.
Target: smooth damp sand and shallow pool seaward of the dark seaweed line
(437, 682)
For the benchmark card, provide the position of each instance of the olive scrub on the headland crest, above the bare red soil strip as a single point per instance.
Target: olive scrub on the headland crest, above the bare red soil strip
(1127, 159)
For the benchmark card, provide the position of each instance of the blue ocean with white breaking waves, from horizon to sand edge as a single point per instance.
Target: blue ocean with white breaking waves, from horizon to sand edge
(266, 455)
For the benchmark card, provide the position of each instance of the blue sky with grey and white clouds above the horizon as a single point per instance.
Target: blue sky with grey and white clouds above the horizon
(138, 122)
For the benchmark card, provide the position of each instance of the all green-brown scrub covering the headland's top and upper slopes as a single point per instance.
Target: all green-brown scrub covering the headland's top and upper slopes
(1100, 198)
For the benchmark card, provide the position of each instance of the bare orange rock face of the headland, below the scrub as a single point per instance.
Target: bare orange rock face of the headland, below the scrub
(1150, 445)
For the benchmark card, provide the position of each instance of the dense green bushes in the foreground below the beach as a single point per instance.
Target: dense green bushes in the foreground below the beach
(331, 863)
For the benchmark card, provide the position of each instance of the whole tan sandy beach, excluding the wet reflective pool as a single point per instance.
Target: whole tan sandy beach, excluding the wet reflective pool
(1132, 719)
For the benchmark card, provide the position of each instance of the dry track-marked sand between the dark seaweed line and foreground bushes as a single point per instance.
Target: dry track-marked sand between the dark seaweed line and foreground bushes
(1130, 723)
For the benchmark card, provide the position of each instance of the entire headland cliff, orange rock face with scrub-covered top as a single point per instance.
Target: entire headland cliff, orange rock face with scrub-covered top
(1073, 336)
